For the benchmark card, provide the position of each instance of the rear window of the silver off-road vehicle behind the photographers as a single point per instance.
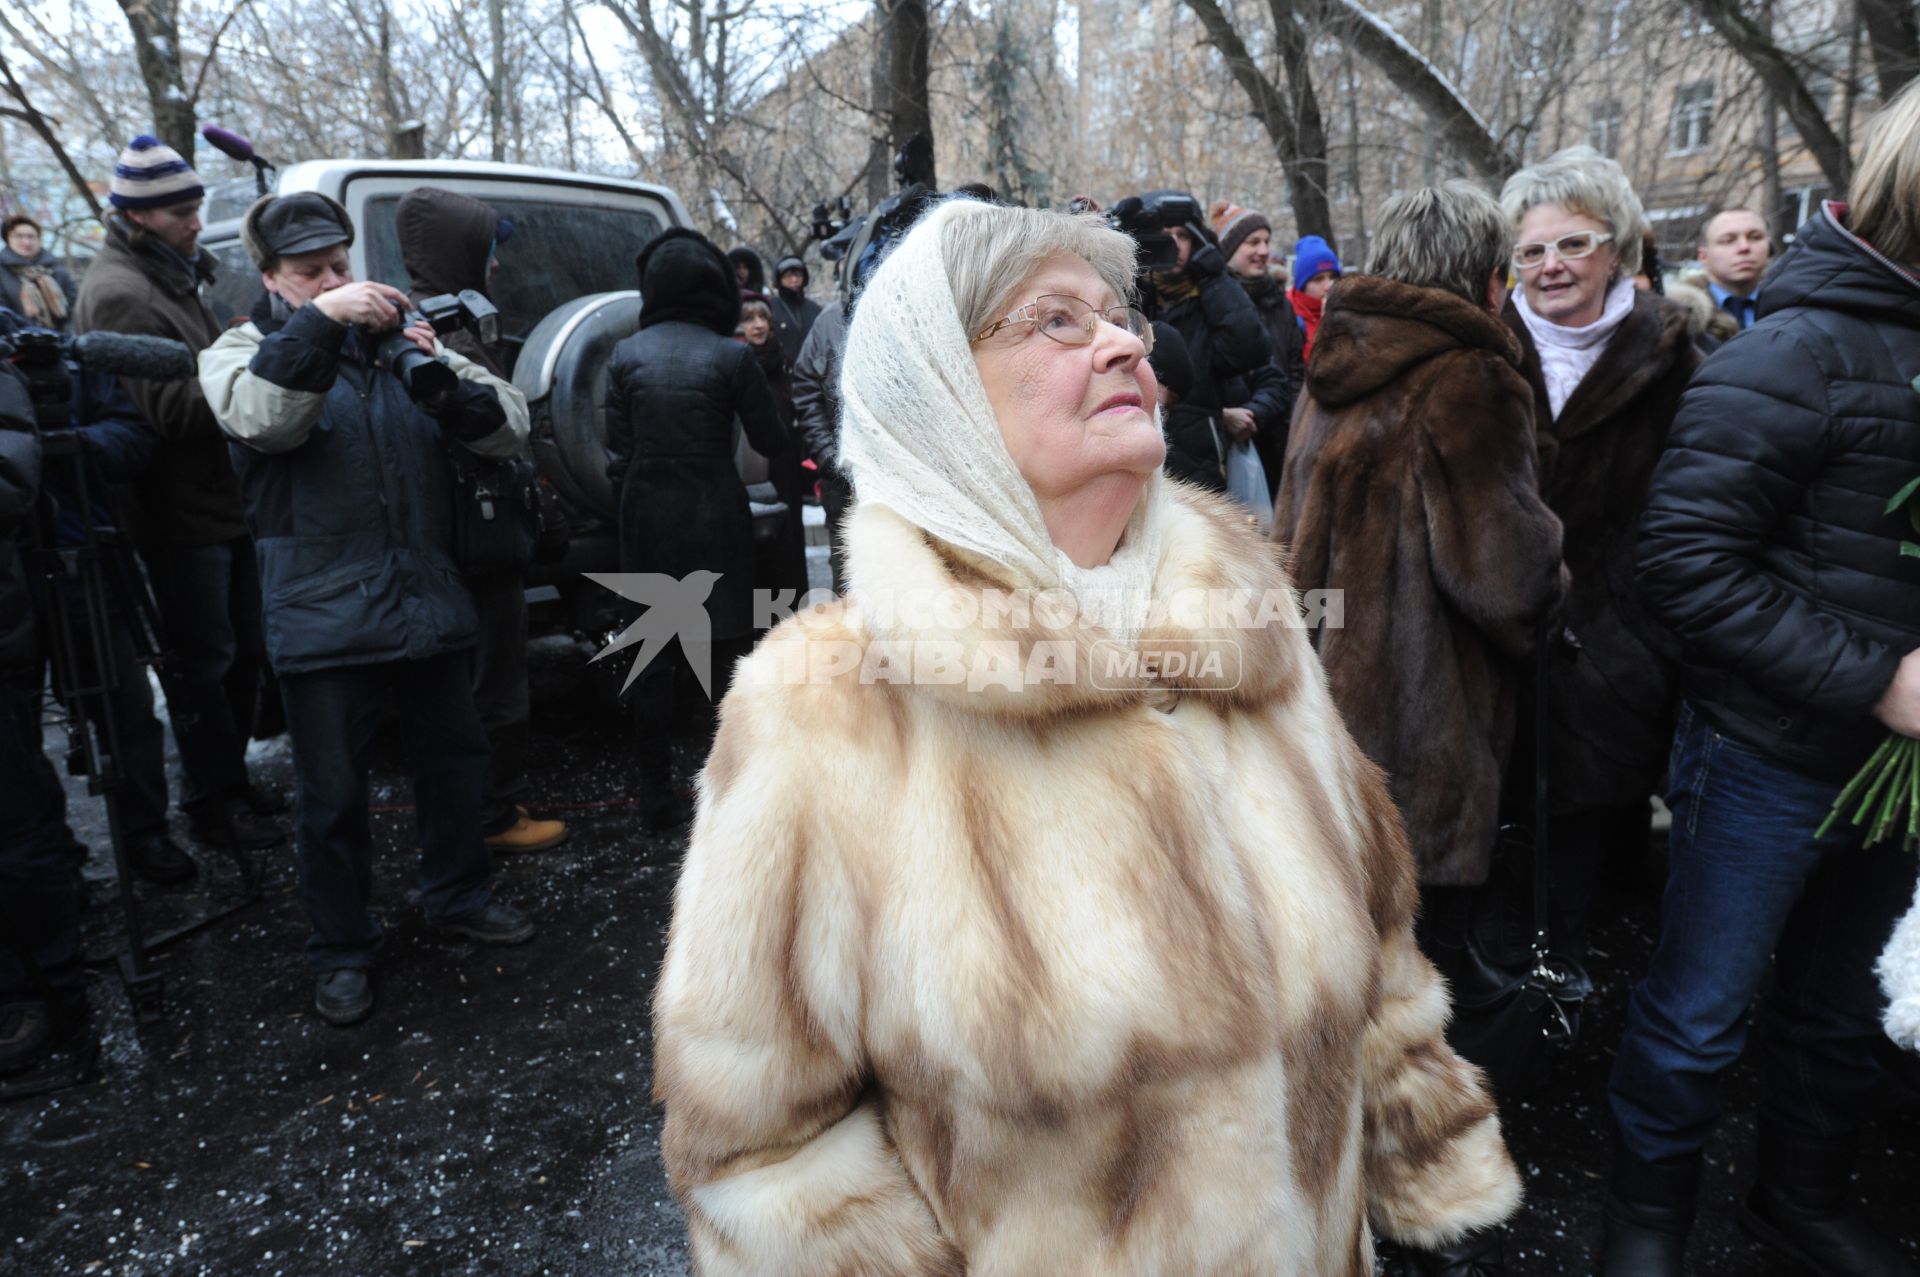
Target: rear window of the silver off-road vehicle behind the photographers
(558, 253)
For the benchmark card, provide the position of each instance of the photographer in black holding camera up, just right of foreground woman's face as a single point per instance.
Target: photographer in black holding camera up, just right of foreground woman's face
(1237, 383)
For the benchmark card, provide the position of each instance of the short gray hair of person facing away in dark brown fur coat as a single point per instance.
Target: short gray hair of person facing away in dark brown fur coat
(1449, 237)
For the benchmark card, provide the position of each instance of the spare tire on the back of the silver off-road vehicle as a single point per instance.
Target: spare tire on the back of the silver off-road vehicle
(564, 375)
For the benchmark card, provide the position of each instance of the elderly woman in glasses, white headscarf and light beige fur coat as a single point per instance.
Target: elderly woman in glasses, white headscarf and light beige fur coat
(1042, 917)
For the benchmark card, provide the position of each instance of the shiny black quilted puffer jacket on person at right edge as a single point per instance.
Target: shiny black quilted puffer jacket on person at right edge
(1767, 544)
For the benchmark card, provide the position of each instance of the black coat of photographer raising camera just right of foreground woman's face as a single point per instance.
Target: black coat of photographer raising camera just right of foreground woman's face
(1234, 368)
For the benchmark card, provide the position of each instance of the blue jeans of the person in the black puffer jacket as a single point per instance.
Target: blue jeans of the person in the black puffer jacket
(1750, 888)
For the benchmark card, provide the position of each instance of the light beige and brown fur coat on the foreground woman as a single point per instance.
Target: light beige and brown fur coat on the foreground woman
(1063, 980)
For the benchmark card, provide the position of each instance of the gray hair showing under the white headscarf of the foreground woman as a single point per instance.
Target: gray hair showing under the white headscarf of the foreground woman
(990, 256)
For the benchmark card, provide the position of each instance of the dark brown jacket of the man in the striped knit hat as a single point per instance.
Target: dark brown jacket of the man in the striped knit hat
(189, 494)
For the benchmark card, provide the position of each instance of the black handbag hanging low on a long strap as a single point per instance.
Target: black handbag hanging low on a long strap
(1518, 1019)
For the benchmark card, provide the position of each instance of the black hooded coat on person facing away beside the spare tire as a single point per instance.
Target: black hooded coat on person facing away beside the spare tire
(675, 393)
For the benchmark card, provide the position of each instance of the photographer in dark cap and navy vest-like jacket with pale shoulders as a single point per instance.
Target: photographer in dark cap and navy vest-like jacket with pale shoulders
(350, 493)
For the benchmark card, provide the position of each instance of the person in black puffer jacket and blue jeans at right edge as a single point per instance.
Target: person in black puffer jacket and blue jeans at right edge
(1769, 550)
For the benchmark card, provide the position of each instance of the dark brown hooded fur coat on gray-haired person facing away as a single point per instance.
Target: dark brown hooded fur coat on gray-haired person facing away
(1412, 489)
